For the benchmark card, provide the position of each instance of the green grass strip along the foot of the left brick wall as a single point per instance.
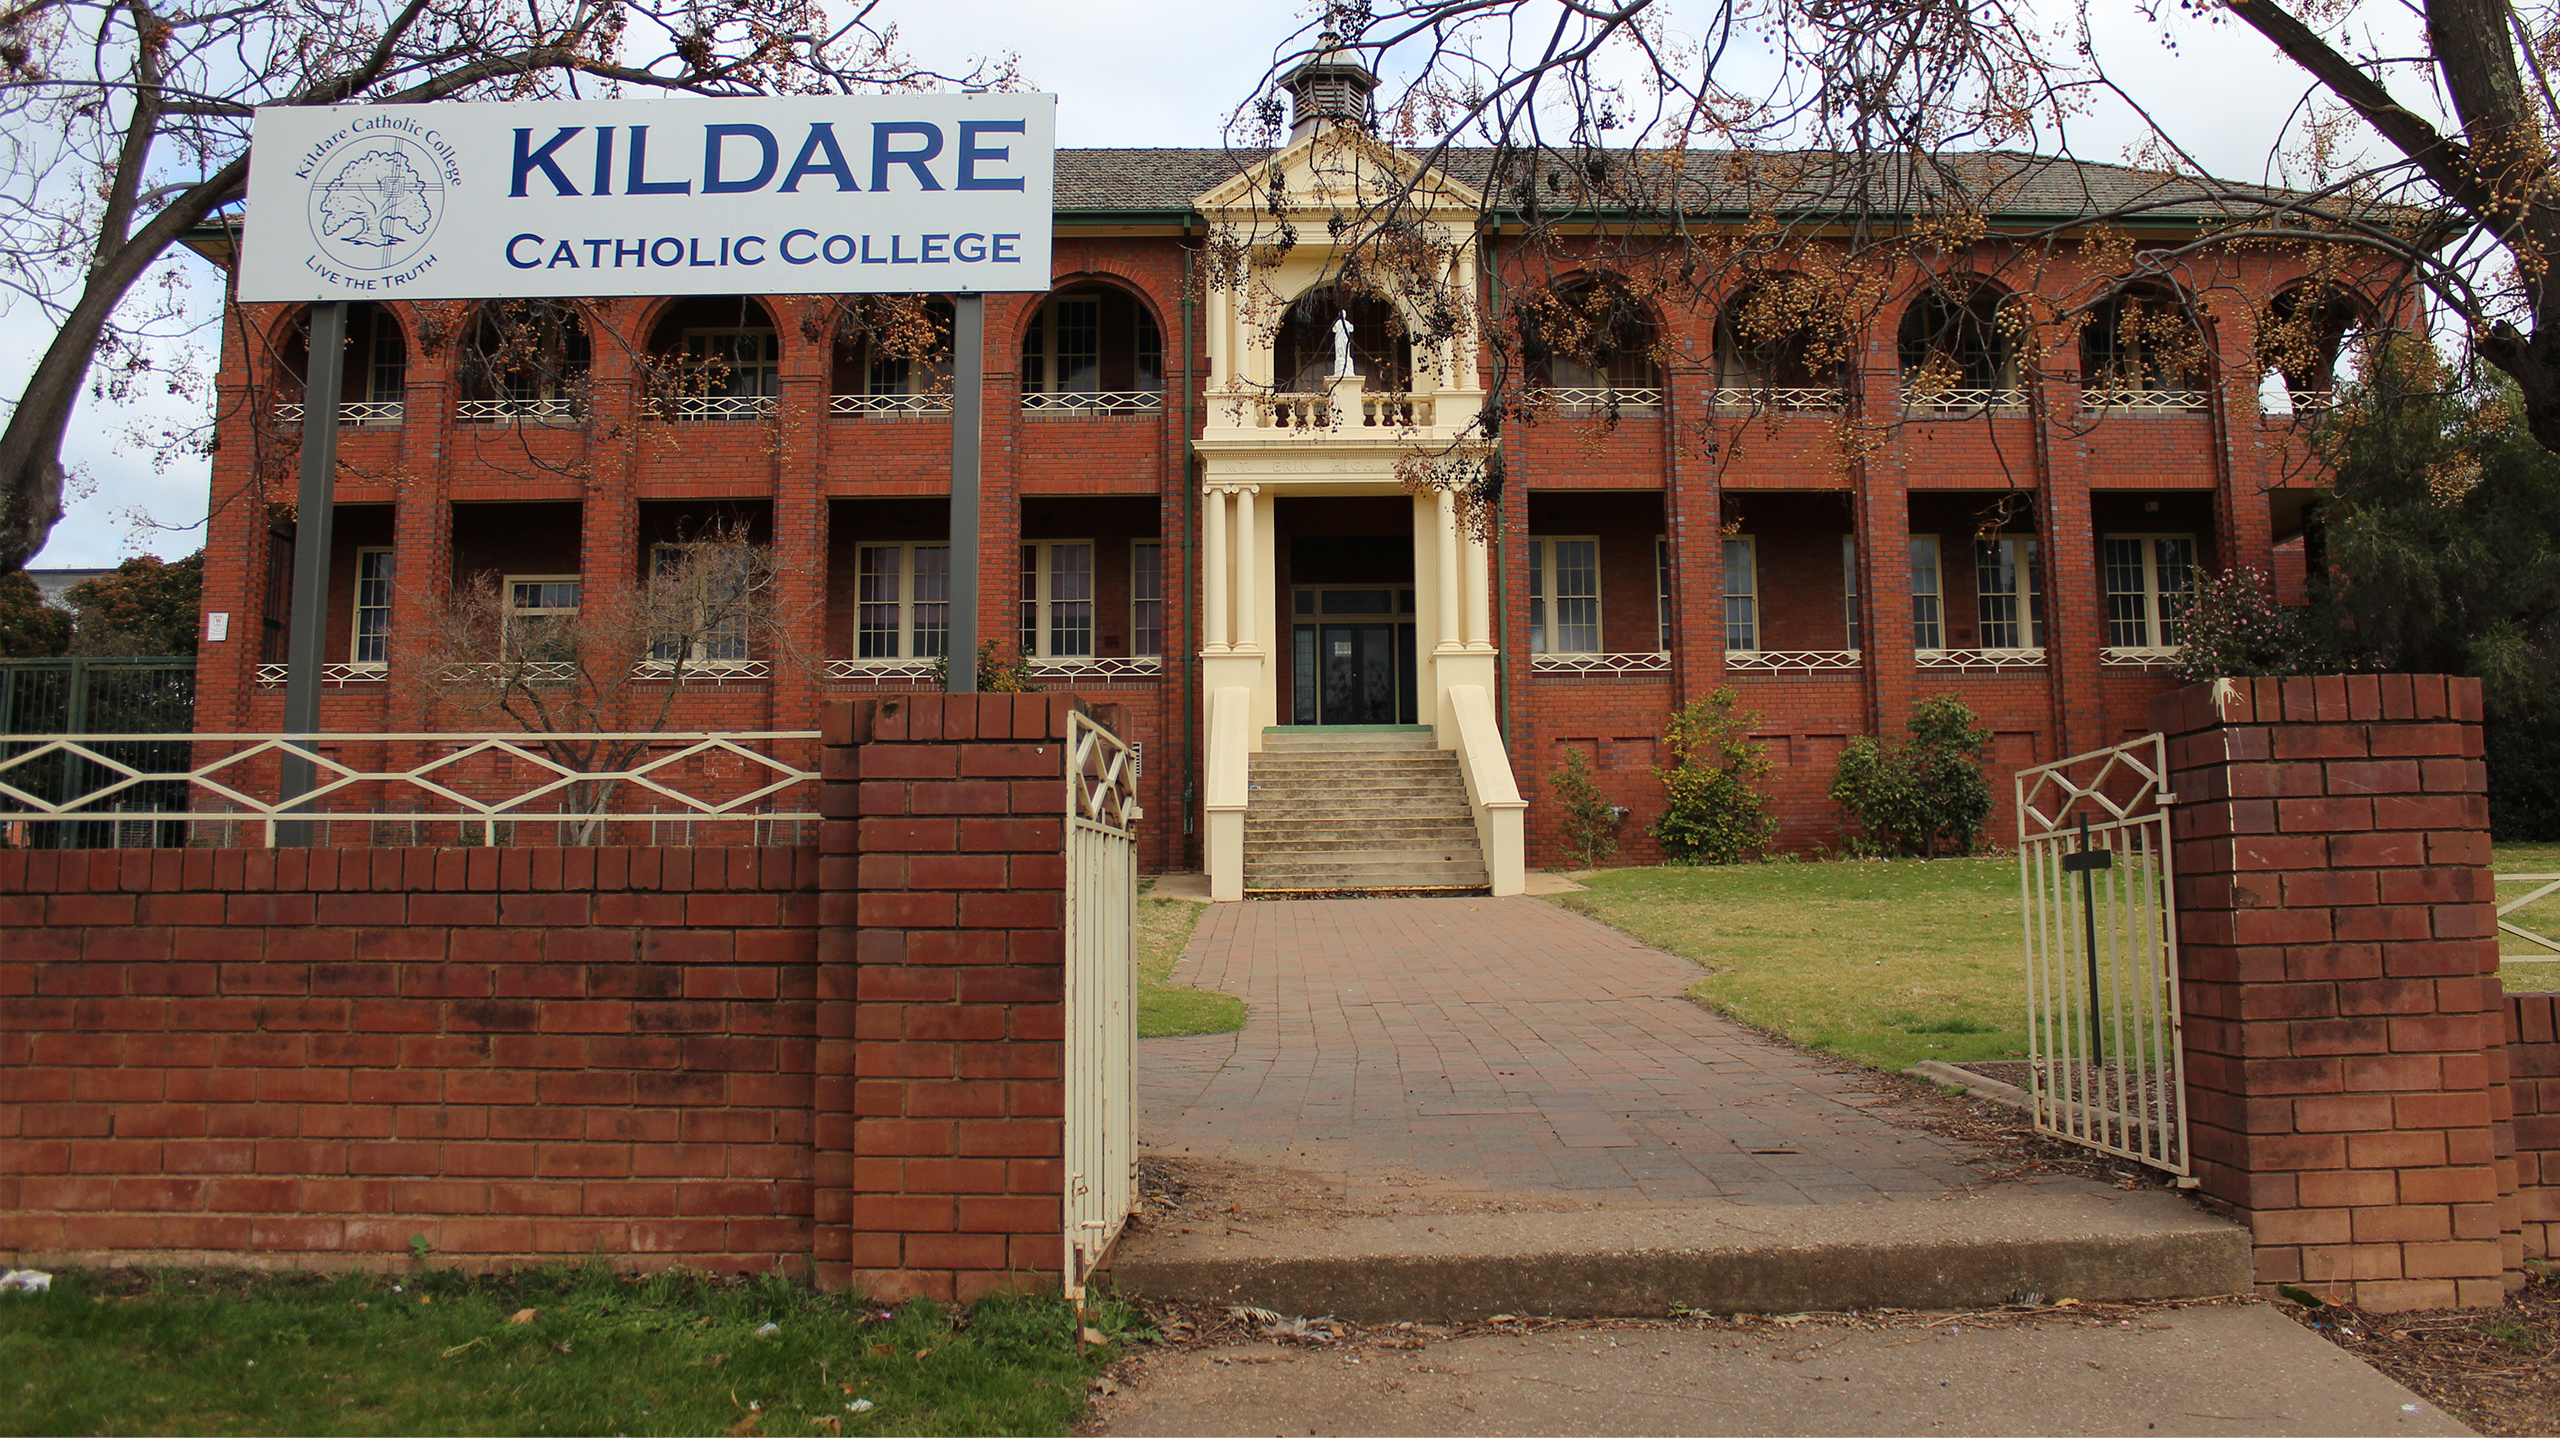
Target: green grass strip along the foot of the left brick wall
(224, 1352)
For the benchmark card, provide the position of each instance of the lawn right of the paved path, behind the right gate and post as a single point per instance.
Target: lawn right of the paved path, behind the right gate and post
(1888, 963)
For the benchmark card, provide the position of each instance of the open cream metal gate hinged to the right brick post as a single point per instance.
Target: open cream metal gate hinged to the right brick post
(2106, 1050)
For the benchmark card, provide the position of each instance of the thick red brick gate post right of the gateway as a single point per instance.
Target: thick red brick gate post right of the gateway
(2339, 968)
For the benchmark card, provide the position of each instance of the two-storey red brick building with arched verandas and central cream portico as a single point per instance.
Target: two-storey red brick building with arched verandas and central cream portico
(1187, 513)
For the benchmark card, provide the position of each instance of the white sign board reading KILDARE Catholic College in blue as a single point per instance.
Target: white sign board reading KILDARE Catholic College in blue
(593, 198)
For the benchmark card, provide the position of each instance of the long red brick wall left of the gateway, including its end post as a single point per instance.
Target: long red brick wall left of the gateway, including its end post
(836, 1061)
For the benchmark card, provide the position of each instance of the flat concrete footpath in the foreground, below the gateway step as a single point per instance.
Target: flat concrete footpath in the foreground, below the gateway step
(2198, 1370)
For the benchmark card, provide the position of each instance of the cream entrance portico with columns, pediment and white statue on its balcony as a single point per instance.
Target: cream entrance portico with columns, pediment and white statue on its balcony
(1312, 418)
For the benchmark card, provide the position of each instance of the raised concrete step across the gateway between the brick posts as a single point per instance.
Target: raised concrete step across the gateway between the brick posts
(1972, 1250)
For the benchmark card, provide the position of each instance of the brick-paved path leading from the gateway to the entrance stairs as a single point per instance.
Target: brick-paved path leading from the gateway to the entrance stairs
(1504, 1048)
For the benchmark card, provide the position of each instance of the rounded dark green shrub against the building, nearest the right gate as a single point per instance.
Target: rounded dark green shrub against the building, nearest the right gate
(1924, 794)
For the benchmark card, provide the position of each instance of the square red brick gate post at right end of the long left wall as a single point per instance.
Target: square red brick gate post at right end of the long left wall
(941, 1117)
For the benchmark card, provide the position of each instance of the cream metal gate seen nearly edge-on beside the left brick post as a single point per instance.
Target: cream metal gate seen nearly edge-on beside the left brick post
(1102, 994)
